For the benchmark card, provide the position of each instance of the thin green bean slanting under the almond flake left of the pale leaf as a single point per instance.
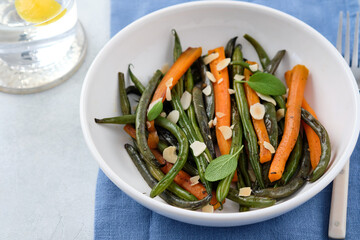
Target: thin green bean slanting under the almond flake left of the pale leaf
(186, 126)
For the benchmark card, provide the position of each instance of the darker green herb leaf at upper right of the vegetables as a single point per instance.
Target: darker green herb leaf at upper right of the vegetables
(267, 84)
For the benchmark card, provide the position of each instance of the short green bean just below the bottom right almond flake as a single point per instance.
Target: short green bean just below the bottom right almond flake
(250, 201)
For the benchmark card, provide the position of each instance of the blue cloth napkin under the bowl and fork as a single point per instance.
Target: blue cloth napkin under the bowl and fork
(119, 217)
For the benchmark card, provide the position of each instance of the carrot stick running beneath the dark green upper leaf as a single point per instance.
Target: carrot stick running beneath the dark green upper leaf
(259, 125)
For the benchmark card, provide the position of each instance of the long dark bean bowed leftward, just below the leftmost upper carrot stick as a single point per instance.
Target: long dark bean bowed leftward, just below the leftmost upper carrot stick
(141, 119)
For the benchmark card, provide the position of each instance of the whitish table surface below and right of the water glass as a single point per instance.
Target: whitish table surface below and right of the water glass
(47, 174)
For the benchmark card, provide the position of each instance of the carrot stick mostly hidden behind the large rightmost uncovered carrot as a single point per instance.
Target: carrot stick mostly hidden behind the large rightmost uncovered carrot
(312, 138)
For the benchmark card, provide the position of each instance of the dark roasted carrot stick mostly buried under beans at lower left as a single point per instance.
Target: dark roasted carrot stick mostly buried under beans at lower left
(182, 178)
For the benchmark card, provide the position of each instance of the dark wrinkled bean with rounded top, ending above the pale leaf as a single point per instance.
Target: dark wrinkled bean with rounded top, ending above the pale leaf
(202, 119)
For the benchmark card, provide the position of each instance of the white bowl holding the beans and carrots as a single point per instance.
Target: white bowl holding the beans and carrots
(147, 44)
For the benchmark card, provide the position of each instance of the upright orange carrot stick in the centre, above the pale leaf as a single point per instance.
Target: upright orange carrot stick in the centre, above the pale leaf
(222, 100)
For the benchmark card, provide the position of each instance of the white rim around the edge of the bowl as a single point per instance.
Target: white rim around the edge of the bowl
(201, 218)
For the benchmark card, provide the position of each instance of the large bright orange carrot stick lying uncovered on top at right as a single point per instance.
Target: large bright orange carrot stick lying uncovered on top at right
(292, 121)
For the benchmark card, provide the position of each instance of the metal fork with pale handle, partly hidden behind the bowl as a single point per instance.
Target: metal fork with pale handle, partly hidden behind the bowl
(337, 222)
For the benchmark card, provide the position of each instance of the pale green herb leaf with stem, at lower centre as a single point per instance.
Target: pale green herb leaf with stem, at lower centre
(221, 167)
